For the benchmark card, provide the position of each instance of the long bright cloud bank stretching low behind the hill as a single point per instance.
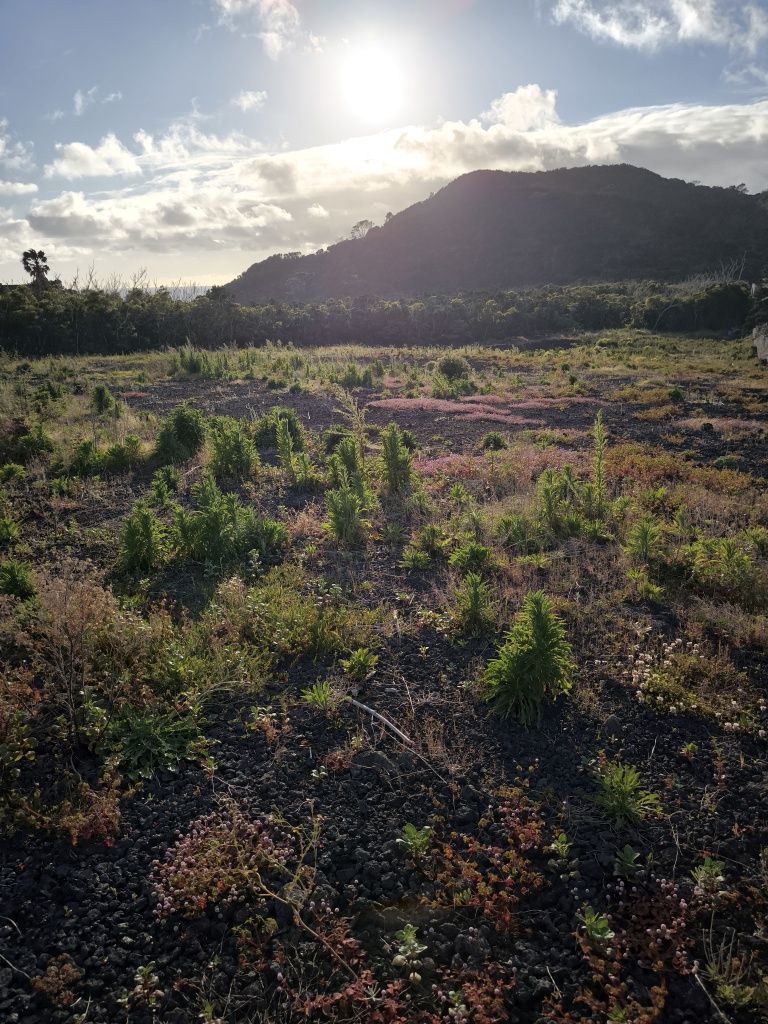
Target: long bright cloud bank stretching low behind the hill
(204, 200)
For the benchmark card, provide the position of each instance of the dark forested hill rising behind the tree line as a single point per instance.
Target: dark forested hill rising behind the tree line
(497, 230)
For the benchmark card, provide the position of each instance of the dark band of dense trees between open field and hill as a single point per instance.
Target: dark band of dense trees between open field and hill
(37, 320)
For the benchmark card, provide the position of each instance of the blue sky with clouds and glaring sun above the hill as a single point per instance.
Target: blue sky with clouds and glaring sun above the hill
(187, 140)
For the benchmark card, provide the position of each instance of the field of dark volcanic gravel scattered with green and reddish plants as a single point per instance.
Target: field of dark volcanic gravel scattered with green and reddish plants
(388, 686)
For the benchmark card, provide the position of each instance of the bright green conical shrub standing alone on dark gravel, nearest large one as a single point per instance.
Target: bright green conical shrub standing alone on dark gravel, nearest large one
(534, 665)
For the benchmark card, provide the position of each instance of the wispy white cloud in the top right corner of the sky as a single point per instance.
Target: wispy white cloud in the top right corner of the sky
(650, 25)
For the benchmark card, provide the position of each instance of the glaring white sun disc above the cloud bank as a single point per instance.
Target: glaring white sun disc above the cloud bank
(372, 82)
